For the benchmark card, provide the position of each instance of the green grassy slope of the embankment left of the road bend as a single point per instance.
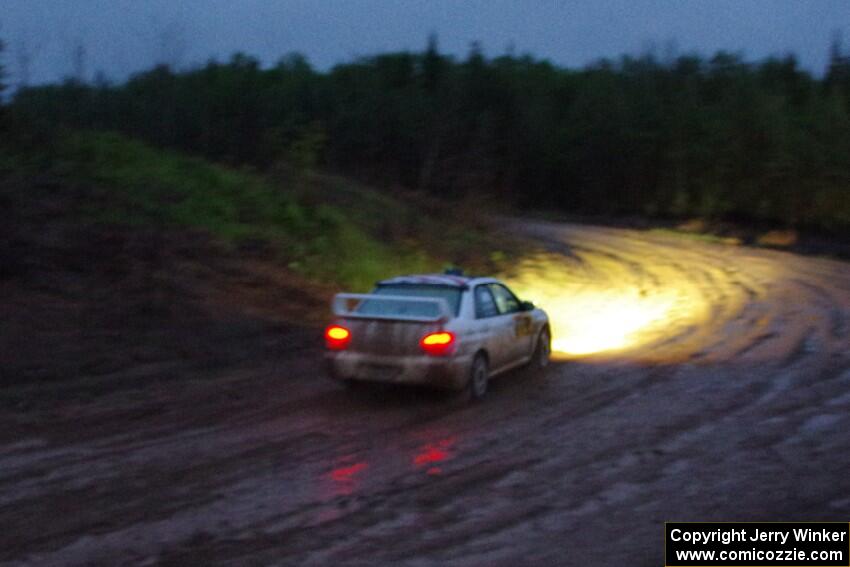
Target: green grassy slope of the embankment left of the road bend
(322, 227)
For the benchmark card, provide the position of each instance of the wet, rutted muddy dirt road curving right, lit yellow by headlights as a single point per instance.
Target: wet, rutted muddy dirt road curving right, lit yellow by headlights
(725, 396)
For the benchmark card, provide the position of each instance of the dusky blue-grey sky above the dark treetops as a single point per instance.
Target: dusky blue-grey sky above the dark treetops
(122, 36)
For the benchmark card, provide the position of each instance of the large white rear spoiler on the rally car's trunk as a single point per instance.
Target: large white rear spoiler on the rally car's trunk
(401, 308)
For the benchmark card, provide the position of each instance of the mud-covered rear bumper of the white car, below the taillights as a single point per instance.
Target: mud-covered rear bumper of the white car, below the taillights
(442, 372)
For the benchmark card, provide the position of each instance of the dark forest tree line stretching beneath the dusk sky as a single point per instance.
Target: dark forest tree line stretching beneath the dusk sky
(716, 137)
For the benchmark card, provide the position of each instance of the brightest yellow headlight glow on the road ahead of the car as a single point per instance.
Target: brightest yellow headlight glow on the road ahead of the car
(595, 306)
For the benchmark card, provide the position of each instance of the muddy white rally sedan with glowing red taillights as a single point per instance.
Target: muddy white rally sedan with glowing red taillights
(447, 331)
